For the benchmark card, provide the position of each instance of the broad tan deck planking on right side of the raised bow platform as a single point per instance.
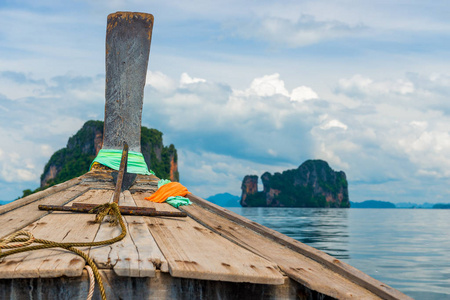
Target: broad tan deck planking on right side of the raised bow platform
(194, 251)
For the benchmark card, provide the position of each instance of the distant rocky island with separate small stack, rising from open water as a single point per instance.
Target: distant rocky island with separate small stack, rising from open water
(312, 184)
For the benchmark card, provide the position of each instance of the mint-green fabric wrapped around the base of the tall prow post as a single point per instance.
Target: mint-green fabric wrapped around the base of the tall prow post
(112, 157)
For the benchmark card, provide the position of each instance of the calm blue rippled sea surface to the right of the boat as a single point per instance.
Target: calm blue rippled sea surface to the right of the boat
(408, 249)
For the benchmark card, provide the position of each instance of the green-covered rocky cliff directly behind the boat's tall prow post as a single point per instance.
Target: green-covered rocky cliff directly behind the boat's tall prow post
(75, 159)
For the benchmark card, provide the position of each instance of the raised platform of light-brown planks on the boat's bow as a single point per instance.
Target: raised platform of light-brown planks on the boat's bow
(180, 246)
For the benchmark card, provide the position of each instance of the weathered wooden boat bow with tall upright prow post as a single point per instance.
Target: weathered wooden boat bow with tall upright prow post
(212, 253)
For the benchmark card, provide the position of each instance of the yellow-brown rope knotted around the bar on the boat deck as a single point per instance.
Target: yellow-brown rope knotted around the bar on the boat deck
(103, 210)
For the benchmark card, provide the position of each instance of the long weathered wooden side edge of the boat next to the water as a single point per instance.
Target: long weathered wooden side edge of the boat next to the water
(243, 232)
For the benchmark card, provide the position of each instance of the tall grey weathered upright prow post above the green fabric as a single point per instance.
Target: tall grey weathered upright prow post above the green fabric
(128, 38)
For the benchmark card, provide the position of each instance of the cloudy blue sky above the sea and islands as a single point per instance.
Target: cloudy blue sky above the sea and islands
(243, 87)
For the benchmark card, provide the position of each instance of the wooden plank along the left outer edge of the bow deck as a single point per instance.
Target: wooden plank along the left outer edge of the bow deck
(16, 219)
